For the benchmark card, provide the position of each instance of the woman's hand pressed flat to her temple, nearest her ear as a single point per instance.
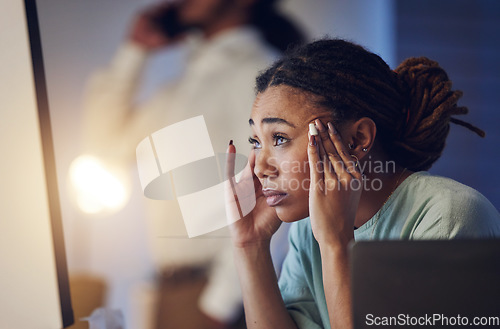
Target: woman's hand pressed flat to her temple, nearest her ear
(335, 190)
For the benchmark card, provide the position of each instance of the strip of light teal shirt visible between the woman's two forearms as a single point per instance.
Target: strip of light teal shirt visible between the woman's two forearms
(294, 286)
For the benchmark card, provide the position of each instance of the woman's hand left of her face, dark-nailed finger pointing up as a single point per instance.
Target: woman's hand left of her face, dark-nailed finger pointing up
(254, 222)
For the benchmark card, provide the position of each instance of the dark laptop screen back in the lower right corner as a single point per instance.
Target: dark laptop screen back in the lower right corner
(439, 283)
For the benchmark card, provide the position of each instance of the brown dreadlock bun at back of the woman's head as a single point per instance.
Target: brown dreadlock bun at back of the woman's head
(431, 103)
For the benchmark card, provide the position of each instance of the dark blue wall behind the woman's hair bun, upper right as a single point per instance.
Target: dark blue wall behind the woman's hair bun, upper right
(464, 37)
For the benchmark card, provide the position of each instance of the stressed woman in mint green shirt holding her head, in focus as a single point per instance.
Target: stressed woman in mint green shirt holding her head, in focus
(362, 177)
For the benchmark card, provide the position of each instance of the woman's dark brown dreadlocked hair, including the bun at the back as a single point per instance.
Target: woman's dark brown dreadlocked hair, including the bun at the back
(411, 106)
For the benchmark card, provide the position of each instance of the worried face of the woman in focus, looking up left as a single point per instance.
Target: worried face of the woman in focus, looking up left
(280, 121)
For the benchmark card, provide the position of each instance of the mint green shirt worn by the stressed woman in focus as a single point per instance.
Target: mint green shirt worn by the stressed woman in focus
(422, 207)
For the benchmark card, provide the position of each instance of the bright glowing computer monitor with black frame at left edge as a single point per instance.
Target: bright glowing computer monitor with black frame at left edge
(34, 288)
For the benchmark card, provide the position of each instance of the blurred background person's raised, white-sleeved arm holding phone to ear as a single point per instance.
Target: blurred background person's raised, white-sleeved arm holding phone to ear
(113, 122)
